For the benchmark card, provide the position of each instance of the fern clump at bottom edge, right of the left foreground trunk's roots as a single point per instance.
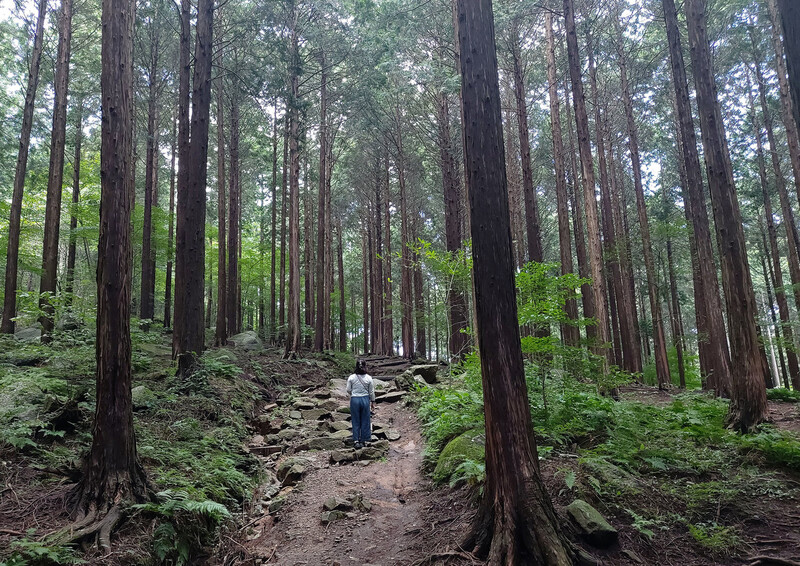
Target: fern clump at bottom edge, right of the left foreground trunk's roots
(185, 525)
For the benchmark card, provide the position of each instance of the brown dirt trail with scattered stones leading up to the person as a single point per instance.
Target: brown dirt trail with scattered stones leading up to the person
(397, 530)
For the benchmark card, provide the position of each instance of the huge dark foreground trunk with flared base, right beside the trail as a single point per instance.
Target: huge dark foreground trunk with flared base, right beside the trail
(516, 523)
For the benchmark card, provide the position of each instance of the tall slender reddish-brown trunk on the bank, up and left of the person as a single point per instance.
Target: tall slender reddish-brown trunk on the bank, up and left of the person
(294, 330)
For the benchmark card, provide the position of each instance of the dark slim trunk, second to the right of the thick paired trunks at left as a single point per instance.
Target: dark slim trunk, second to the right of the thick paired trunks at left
(234, 307)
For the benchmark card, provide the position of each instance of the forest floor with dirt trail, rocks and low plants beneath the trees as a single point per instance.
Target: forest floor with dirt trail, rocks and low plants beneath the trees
(237, 433)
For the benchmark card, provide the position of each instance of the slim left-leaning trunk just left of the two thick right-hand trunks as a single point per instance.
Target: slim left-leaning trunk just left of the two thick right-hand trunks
(659, 338)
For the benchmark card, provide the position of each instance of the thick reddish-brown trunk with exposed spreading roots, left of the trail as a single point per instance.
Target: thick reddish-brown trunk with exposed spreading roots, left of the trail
(111, 472)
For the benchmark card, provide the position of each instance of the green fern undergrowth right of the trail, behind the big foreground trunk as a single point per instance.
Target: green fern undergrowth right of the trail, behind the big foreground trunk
(655, 468)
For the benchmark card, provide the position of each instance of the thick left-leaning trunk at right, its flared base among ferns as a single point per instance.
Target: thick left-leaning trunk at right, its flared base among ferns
(748, 396)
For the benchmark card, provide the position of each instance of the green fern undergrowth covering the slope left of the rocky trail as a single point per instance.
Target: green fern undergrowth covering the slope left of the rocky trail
(190, 436)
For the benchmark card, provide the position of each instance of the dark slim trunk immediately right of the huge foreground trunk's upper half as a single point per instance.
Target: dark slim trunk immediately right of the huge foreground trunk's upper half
(532, 230)
